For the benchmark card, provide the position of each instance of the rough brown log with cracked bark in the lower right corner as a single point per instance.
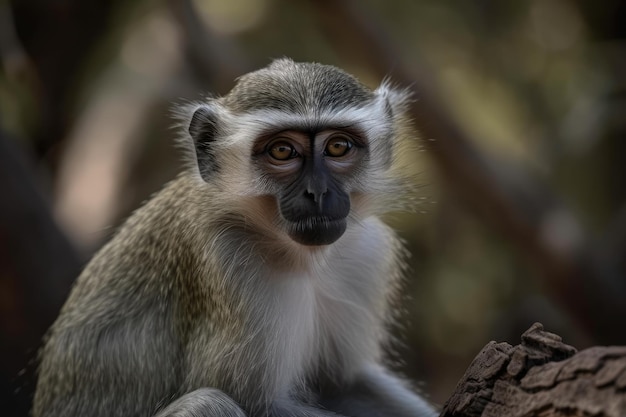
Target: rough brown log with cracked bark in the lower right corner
(542, 377)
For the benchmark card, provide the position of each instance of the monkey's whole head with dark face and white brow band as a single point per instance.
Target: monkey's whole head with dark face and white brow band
(311, 137)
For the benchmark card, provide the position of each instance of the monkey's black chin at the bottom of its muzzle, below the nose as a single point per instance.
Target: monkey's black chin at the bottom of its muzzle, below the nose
(316, 231)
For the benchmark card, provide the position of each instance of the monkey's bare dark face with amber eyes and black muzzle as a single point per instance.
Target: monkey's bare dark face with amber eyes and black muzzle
(311, 172)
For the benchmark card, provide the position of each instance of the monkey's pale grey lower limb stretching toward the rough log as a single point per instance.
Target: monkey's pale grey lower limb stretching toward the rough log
(378, 393)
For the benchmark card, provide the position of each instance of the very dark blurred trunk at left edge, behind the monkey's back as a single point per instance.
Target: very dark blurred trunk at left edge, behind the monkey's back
(37, 267)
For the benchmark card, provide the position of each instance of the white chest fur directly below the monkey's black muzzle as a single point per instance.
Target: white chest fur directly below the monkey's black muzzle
(331, 316)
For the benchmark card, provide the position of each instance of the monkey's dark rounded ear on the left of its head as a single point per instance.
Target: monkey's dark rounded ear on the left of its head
(203, 129)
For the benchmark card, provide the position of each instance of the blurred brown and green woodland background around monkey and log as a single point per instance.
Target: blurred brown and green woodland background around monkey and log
(521, 154)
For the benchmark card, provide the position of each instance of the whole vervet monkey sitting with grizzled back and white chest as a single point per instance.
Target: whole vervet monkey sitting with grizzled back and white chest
(258, 283)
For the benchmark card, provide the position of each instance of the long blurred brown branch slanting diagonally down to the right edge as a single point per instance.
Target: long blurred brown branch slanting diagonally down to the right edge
(588, 285)
